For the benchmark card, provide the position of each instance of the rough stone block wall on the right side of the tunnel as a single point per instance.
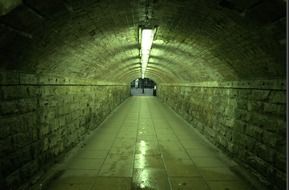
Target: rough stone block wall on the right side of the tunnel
(247, 120)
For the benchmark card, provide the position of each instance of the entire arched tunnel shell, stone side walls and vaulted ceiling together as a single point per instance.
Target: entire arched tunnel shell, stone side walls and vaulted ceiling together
(218, 63)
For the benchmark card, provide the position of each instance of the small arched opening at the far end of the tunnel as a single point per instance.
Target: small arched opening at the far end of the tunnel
(143, 87)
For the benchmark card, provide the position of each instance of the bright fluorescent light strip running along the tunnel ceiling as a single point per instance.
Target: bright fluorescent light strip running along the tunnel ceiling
(147, 36)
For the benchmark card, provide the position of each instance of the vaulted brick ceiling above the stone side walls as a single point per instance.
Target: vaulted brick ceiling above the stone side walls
(196, 40)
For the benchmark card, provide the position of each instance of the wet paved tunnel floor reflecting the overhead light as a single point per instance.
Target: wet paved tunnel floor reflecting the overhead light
(145, 145)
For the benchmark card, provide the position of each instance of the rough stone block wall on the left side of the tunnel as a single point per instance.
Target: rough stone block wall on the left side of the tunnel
(42, 117)
